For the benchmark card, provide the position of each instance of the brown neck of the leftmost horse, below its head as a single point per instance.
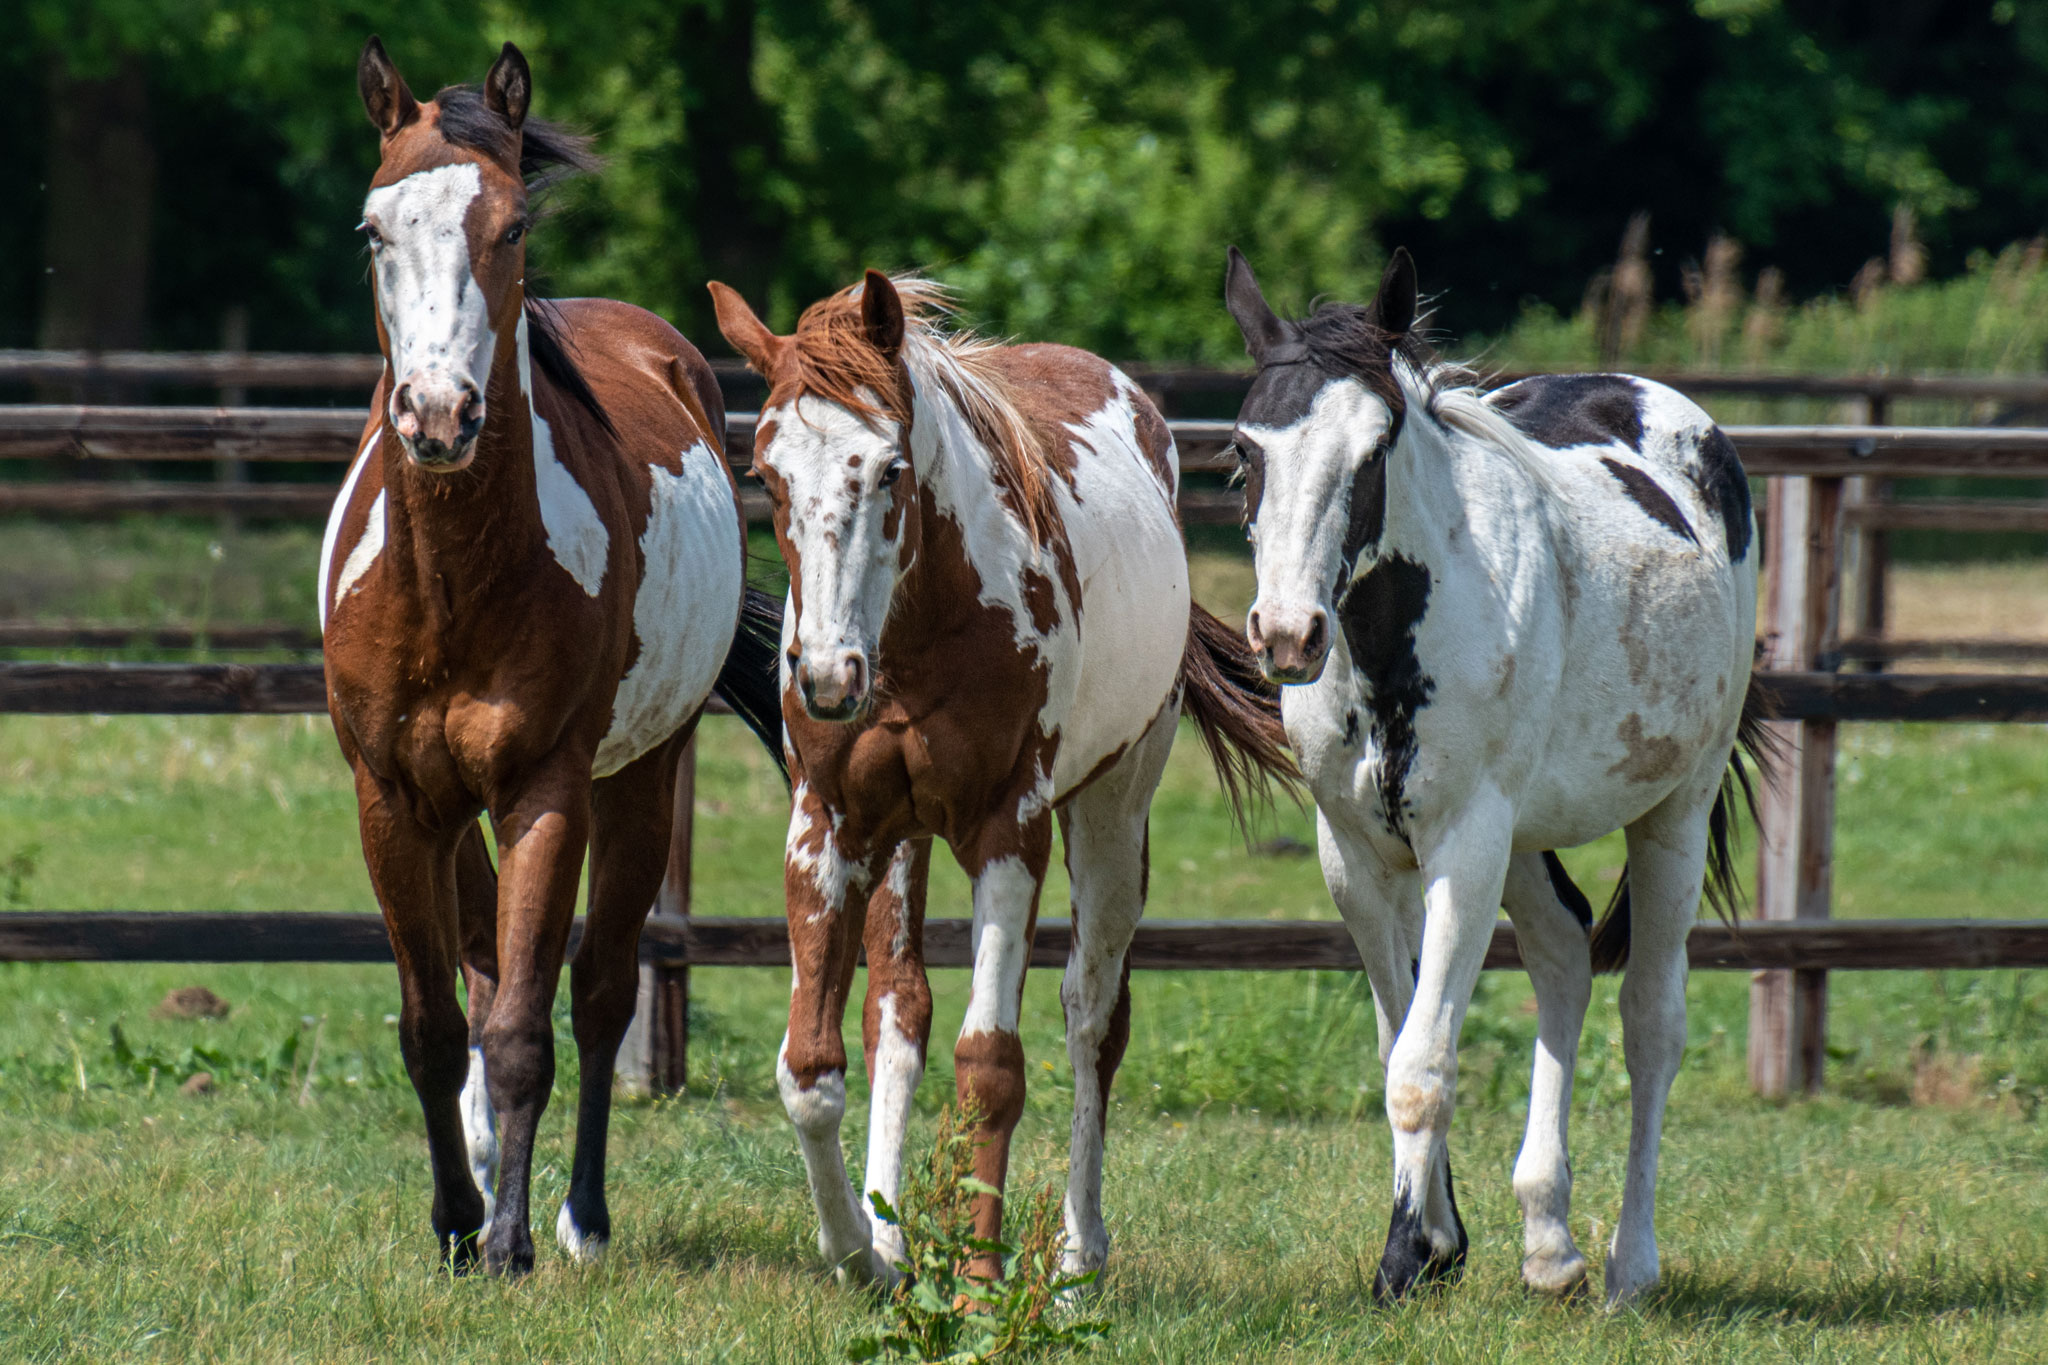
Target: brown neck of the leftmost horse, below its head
(454, 531)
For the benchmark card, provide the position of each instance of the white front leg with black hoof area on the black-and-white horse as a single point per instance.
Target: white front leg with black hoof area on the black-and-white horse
(1463, 877)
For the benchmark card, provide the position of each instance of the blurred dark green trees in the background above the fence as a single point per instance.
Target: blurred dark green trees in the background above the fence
(1078, 169)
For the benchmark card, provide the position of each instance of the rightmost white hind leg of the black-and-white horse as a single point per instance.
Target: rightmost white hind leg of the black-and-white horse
(1666, 865)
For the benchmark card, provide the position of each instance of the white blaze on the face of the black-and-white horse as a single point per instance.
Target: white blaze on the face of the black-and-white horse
(1297, 541)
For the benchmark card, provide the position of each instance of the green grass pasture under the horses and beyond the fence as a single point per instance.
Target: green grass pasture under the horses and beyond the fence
(1902, 1217)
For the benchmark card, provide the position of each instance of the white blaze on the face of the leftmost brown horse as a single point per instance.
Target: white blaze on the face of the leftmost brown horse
(427, 294)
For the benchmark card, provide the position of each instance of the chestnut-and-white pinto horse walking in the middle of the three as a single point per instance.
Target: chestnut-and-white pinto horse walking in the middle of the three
(988, 627)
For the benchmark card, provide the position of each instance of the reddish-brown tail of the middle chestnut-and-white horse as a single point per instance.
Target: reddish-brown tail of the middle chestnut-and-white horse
(1238, 715)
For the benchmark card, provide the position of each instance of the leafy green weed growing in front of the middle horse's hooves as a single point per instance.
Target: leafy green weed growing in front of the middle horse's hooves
(945, 1315)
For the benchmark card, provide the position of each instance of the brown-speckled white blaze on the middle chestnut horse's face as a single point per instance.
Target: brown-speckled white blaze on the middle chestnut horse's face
(833, 466)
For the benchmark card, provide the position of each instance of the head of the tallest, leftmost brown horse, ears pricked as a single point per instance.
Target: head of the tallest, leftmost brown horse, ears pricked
(445, 224)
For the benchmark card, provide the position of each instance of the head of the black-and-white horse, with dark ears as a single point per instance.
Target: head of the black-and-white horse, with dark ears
(1312, 439)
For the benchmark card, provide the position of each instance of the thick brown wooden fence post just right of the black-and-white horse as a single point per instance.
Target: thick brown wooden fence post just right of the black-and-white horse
(1795, 858)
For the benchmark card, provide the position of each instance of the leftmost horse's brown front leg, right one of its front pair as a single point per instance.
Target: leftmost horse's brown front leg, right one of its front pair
(542, 838)
